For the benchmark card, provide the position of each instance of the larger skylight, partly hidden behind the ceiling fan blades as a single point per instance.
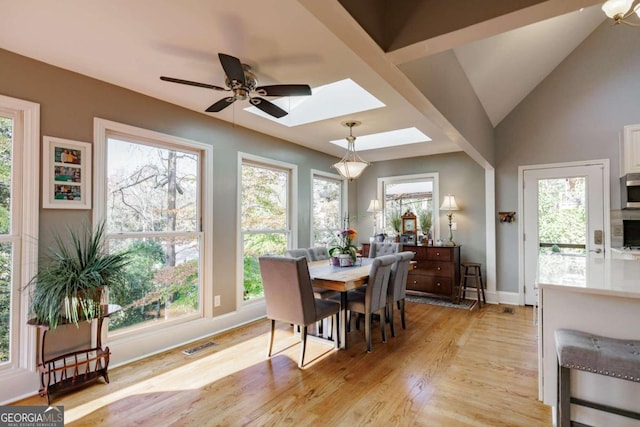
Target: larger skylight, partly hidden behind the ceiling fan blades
(332, 100)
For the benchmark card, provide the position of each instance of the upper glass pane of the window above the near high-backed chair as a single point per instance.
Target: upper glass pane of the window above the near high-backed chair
(264, 198)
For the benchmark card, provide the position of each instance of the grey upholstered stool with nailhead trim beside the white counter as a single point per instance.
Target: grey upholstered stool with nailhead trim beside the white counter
(599, 355)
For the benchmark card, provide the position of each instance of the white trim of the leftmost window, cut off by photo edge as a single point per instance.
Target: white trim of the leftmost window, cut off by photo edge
(22, 373)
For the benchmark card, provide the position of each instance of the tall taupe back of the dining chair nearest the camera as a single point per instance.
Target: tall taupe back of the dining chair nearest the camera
(288, 292)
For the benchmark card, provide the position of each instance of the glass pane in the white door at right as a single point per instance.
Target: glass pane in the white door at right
(562, 215)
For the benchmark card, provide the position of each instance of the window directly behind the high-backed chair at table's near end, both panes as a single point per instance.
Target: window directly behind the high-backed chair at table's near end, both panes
(265, 217)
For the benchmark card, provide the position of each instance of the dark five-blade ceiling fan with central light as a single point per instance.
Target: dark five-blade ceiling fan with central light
(244, 85)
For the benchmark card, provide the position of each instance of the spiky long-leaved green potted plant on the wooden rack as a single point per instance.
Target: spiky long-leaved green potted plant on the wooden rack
(68, 287)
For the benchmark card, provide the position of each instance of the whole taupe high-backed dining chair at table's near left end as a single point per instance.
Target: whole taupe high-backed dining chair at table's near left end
(289, 298)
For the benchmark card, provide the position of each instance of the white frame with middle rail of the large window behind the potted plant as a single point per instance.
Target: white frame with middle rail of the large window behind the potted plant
(103, 130)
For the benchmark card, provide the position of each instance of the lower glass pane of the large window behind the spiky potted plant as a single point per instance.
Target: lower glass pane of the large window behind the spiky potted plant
(163, 280)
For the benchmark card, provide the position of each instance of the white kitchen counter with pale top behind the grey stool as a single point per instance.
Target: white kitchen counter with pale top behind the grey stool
(600, 296)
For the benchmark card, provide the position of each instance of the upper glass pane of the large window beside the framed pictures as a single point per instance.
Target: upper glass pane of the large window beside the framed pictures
(151, 188)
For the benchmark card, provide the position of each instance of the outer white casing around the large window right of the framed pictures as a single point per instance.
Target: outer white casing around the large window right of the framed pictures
(103, 127)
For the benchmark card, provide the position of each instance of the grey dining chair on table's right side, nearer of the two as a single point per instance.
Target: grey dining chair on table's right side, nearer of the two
(374, 299)
